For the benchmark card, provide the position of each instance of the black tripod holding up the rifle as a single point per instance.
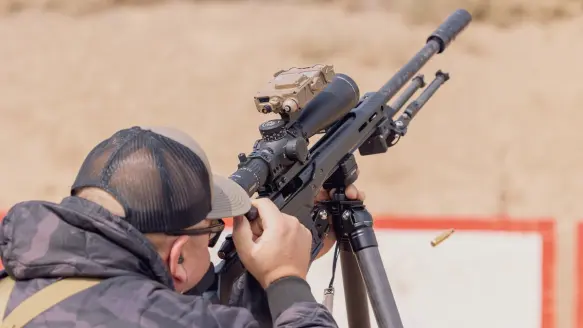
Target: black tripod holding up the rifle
(362, 267)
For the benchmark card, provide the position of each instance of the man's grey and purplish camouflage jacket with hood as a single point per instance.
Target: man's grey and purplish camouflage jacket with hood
(42, 241)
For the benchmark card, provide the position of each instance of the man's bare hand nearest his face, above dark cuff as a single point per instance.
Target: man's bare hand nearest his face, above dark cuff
(279, 248)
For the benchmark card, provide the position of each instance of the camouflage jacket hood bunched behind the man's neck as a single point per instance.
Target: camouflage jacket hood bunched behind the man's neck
(76, 238)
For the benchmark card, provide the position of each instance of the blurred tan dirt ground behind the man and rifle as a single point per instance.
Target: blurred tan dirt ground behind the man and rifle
(501, 137)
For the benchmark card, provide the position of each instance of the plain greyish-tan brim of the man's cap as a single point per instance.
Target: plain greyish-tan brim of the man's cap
(229, 199)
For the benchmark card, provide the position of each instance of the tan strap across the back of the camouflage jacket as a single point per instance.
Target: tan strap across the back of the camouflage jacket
(39, 302)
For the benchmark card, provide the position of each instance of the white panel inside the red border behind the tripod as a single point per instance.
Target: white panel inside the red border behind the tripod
(473, 279)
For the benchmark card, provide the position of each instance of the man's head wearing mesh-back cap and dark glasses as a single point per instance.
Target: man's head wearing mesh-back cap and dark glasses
(160, 181)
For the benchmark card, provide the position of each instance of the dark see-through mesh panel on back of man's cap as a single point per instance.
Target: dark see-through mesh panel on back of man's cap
(162, 185)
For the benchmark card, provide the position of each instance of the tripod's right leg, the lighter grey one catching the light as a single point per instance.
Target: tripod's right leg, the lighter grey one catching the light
(376, 280)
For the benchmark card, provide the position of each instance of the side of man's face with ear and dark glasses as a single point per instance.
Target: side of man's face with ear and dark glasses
(196, 252)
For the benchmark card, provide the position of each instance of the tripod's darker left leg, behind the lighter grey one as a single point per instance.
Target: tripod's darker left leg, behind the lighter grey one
(354, 292)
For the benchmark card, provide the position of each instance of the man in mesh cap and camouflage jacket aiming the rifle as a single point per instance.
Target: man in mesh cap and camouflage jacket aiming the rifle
(136, 229)
